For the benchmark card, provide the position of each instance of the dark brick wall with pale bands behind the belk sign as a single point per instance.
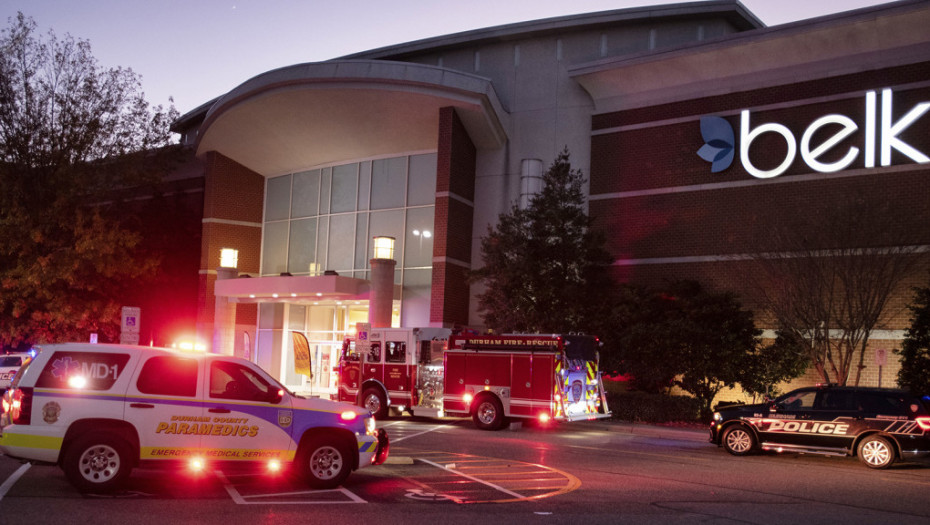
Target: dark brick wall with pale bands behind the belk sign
(668, 217)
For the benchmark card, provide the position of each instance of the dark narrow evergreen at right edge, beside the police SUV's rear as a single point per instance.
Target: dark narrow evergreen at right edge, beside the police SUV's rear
(915, 349)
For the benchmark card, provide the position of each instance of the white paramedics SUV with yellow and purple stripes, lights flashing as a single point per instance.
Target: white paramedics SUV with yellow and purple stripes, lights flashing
(99, 411)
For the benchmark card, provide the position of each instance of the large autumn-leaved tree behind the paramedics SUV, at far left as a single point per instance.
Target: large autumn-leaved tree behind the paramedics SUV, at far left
(71, 134)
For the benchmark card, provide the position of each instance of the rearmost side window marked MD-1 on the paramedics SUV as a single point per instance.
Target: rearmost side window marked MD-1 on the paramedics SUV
(83, 370)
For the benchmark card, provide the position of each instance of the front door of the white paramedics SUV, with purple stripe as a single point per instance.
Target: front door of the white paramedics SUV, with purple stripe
(249, 414)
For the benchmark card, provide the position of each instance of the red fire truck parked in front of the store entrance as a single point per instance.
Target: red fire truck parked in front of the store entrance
(491, 378)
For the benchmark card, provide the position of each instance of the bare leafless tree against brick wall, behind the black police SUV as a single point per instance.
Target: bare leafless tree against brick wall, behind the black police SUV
(828, 276)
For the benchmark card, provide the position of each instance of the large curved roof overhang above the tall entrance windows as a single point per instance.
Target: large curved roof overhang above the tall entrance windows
(314, 114)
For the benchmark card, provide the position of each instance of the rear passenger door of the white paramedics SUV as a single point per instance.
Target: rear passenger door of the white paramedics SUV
(166, 407)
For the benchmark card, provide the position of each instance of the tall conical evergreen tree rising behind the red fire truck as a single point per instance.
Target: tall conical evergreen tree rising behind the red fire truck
(545, 269)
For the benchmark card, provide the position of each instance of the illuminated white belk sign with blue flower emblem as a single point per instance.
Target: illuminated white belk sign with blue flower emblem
(719, 148)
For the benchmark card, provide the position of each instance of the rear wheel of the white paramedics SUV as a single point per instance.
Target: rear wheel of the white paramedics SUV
(97, 463)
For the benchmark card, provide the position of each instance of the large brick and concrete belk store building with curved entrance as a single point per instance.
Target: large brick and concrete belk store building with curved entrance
(695, 124)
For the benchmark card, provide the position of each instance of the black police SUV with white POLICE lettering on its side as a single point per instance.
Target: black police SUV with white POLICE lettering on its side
(878, 425)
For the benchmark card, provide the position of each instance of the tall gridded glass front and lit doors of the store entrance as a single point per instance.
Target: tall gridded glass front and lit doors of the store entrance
(324, 219)
